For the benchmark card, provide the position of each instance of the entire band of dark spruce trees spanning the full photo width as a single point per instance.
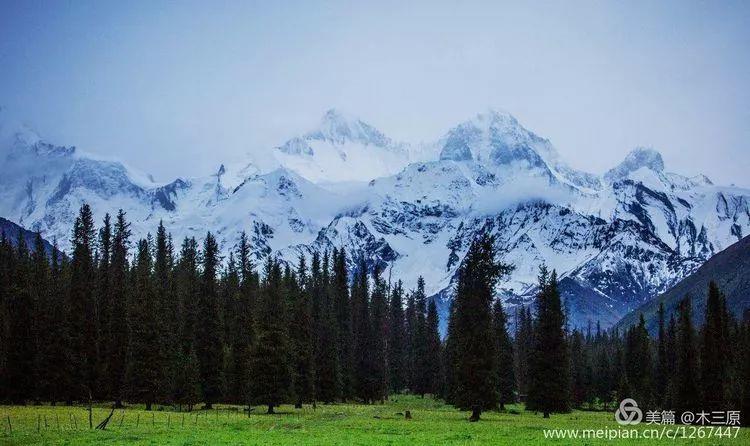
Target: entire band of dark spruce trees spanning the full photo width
(147, 322)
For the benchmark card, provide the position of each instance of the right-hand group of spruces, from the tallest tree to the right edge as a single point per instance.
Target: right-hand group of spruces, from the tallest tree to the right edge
(553, 369)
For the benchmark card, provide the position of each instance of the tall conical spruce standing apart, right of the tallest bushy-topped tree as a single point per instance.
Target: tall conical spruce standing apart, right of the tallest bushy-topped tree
(549, 372)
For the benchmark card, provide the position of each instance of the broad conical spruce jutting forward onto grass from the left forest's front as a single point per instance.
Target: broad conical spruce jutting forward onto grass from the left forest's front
(270, 362)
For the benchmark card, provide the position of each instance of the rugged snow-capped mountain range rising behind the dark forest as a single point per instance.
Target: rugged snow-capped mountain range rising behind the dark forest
(616, 240)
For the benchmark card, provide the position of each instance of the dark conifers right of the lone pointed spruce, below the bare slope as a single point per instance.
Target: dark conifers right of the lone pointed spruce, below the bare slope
(682, 368)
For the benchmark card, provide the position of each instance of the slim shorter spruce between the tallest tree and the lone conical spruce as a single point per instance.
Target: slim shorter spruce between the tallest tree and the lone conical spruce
(505, 378)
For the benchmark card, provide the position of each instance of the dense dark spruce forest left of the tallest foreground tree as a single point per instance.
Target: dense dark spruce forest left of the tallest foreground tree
(147, 324)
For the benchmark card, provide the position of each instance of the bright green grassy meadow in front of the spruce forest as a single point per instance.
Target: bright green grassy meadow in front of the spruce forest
(433, 424)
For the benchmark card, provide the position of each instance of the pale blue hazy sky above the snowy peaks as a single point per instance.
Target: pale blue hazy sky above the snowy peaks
(177, 88)
